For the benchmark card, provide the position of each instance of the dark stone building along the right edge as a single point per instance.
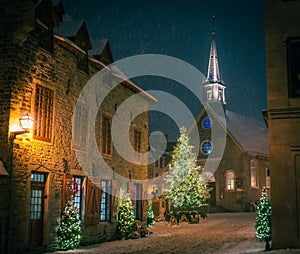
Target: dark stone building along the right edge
(282, 31)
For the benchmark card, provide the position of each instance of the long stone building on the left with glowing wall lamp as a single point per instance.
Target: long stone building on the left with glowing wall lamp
(47, 59)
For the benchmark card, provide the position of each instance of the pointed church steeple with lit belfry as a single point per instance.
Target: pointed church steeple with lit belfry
(214, 88)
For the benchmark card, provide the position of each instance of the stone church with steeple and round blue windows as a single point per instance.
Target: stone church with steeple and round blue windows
(238, 172)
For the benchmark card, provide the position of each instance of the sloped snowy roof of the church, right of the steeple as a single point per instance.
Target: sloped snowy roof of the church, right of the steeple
(251, 134)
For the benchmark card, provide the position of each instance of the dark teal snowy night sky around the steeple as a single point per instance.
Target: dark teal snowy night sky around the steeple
(182, 29)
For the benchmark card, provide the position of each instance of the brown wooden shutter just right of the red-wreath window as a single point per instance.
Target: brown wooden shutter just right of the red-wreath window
(92, 212)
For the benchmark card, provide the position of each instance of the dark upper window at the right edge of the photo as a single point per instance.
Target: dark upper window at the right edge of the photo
(293, 55)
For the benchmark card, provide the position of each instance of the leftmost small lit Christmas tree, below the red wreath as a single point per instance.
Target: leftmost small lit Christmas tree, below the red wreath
(69, 231)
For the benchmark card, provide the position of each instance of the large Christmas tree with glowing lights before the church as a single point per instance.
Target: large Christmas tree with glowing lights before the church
(185, 187)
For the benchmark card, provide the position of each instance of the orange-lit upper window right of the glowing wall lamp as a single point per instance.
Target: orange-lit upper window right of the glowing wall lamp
(43, 113)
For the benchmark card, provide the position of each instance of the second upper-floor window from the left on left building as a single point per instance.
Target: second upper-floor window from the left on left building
(80, 126)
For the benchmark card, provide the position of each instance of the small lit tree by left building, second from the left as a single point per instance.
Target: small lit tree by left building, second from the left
(126, 225)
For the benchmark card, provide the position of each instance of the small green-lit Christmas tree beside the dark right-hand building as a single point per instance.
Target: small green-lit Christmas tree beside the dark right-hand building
(263, 220)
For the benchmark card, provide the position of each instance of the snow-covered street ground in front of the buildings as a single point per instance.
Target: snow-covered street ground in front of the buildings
(219, 233)
